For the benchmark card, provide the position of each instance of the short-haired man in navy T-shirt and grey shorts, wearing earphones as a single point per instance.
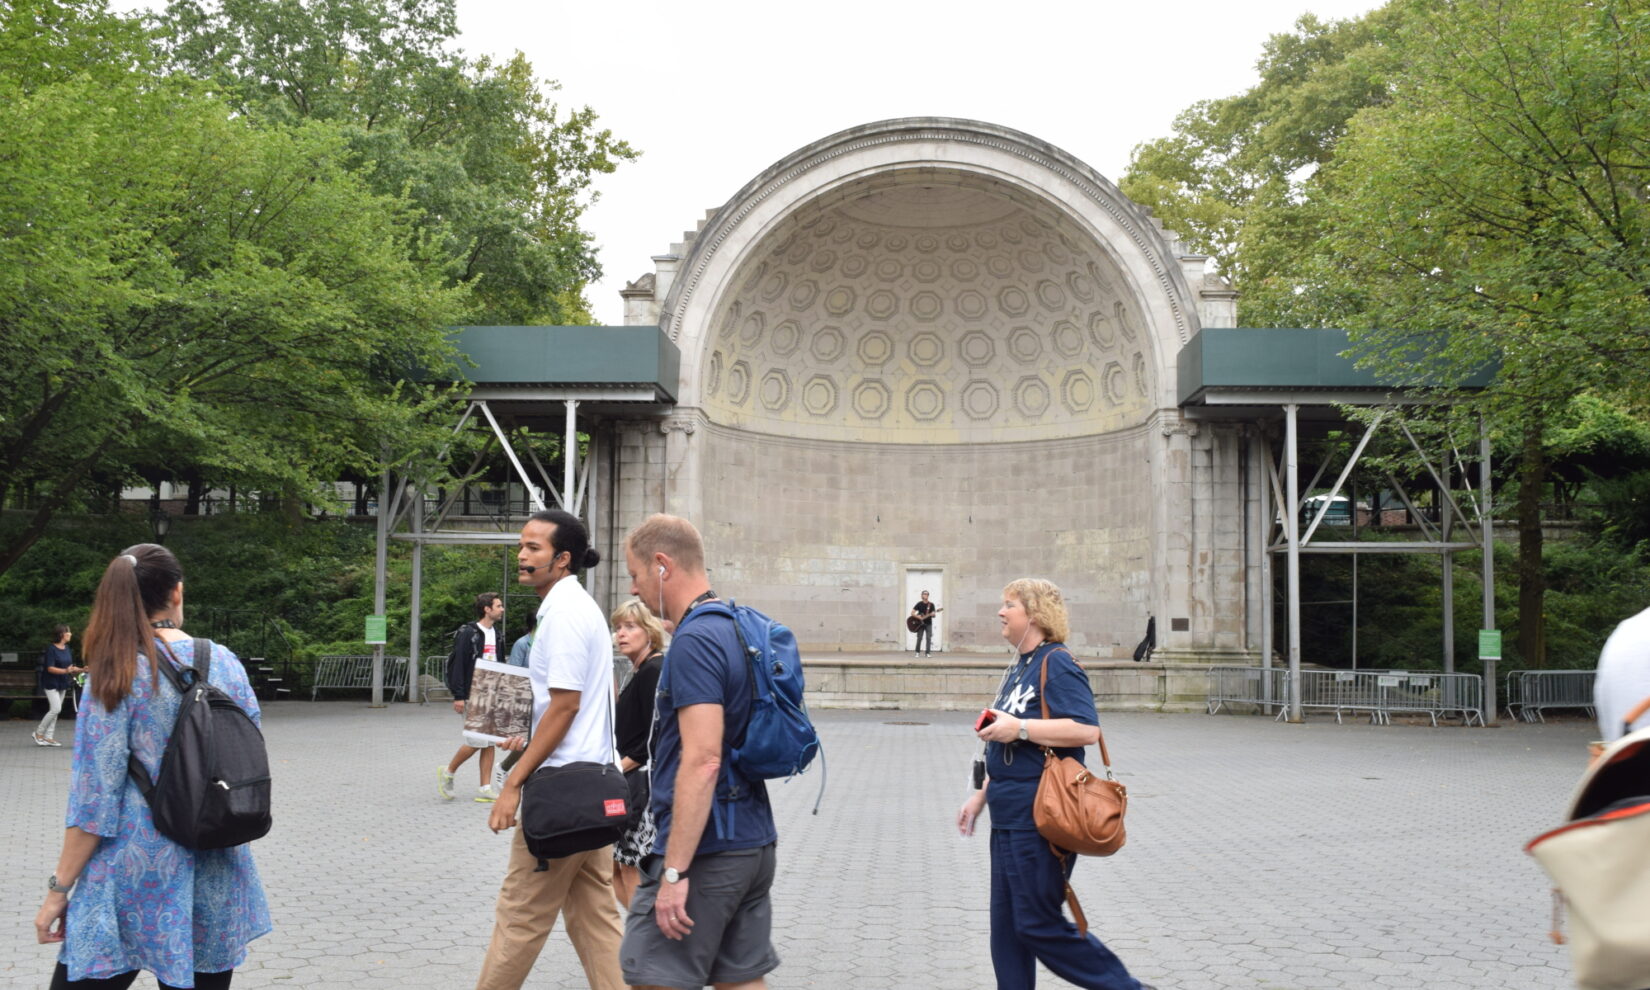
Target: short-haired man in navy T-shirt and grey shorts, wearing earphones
(702, 915)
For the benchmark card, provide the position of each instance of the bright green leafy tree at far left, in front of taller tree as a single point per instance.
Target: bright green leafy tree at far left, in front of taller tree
(181, 280)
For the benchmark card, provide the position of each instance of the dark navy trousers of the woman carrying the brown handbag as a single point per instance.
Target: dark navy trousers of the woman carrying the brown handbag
(1029, 889)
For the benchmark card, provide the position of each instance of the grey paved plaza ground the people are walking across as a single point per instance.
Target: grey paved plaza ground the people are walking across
(1261, 856)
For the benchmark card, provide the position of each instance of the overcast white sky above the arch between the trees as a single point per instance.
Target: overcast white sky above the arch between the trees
(714, 92)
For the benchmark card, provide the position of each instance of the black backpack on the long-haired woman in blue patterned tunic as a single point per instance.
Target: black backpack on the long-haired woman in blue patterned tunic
(214, 788)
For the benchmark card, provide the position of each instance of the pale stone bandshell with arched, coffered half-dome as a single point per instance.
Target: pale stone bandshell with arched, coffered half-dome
(945, 344)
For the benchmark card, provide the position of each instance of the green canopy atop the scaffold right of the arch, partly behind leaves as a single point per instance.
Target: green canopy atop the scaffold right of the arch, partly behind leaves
(1240, 365)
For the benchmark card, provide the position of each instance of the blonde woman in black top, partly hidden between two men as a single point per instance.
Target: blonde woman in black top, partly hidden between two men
(643, 641)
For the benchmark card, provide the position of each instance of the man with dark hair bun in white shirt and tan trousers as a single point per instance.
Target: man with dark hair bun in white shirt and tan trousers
(573, 691)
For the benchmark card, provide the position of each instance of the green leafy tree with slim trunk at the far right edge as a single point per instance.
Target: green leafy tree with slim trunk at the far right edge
(1496, 212)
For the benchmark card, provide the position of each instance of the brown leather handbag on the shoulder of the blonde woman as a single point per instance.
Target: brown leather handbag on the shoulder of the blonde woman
(1075, 811)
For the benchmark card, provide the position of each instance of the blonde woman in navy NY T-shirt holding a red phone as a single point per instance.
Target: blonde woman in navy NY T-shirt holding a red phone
(1029, 880)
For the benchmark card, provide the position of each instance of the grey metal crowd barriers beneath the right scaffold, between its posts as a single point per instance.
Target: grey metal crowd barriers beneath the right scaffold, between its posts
(1379, 694)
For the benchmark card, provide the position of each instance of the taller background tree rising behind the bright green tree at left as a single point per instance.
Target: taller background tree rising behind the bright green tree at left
(499, 171)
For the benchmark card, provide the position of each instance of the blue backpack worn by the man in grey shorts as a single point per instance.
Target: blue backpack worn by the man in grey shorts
(780, 740)
